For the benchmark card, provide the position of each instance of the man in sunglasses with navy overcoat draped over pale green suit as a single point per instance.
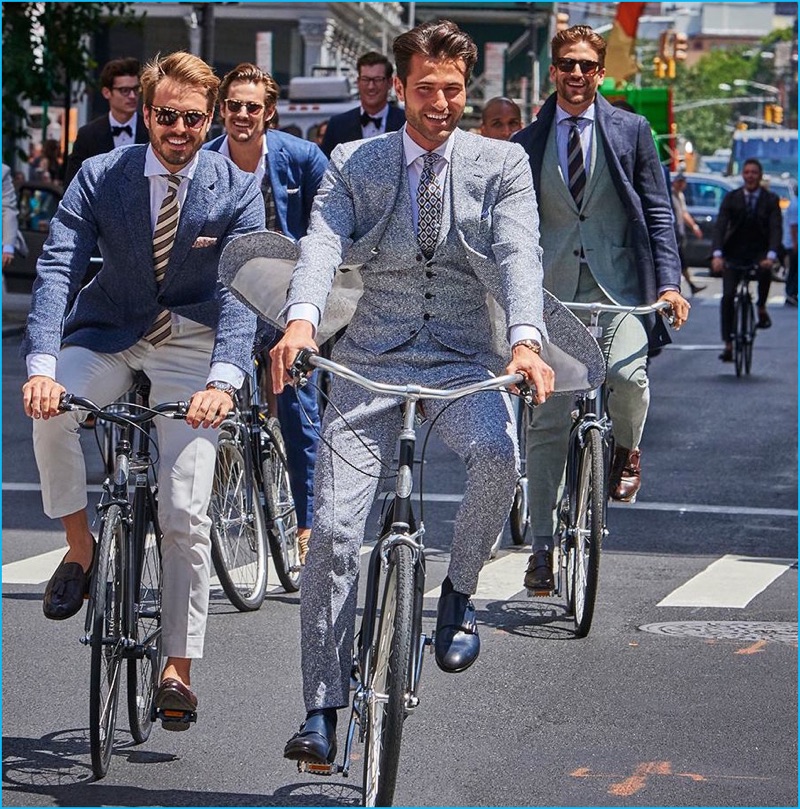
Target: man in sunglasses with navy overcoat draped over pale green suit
(608, 236)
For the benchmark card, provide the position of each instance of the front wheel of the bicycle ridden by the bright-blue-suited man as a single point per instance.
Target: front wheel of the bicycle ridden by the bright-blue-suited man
(238, 528)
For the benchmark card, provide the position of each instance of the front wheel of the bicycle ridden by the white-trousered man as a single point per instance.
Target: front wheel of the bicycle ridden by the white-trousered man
(106, 639)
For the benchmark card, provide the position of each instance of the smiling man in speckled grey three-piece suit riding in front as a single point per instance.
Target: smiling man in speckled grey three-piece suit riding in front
(422, 318)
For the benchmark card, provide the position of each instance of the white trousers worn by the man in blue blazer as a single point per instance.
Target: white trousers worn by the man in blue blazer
(176, 370)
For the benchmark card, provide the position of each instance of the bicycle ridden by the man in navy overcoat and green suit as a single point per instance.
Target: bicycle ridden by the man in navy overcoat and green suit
(583, 505)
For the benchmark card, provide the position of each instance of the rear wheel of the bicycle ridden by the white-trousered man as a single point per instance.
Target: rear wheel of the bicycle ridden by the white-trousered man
(144, 672)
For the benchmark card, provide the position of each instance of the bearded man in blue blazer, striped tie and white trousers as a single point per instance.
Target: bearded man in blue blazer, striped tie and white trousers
(160, 215)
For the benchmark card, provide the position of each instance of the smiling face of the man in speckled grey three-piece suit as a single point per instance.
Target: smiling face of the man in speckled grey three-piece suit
(434, 95)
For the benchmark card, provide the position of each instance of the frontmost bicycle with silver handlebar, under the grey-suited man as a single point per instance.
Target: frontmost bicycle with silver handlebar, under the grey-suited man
(390, 645)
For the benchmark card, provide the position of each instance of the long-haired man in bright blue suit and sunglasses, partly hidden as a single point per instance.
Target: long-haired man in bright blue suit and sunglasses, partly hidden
(289, 171)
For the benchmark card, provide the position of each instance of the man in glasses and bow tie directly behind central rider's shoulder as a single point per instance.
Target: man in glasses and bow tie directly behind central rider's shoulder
(375, 115)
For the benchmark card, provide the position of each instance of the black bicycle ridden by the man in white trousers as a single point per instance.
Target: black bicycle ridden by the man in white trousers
(123, 616)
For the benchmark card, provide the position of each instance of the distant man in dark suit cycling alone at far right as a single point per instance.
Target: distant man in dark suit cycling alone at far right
(747, 231)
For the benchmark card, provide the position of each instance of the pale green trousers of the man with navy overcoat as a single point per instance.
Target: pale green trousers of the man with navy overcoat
(624, 345)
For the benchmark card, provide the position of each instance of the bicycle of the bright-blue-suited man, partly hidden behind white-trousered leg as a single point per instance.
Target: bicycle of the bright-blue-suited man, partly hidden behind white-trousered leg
(251, 502)
